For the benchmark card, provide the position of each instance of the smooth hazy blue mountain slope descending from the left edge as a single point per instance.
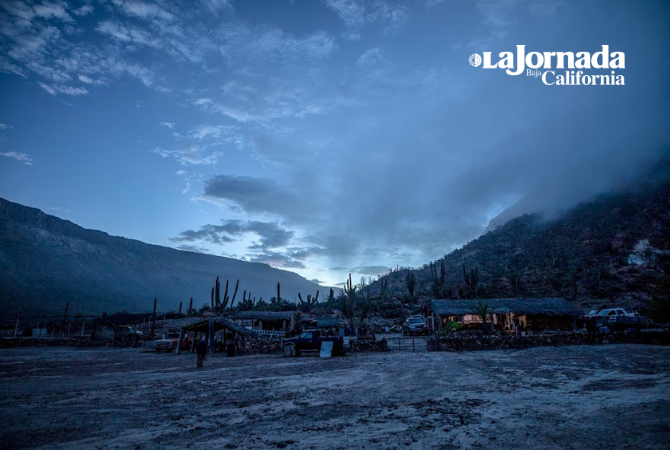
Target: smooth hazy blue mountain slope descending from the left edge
(46, 261)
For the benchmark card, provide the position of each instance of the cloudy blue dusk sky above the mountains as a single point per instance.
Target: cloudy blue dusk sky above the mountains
(322, 137)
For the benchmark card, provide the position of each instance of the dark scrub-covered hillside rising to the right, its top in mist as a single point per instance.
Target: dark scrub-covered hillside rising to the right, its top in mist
(614, 249)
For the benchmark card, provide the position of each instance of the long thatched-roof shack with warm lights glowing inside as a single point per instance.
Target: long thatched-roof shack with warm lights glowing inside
(514, 314)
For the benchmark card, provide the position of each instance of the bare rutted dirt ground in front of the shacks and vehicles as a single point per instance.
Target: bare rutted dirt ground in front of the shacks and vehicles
(608, 396)
